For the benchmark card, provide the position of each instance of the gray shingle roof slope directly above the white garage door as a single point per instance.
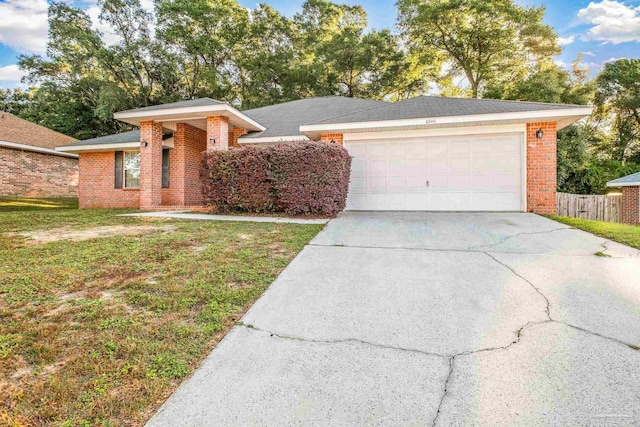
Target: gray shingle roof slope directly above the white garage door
(435, 106)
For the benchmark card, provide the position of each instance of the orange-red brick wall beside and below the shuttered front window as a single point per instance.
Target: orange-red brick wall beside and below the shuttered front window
(97, 181)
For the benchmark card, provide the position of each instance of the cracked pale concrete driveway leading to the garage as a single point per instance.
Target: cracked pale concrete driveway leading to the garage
(432, 319)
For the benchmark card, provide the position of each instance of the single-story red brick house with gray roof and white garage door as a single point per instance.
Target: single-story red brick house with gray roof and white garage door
(425, 153)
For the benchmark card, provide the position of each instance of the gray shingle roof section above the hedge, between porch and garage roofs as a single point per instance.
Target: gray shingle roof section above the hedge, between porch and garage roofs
(285, 119)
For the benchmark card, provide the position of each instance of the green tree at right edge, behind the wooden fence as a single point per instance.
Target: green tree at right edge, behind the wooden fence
(617, 98)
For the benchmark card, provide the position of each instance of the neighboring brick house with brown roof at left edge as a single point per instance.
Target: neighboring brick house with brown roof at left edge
(30, 165)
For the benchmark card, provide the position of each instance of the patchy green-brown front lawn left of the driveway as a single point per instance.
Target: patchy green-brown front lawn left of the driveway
(101, 317)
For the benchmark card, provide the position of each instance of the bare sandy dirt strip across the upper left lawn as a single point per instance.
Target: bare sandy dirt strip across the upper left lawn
(39, 237)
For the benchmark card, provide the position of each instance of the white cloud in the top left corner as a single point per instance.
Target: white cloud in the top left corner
(23, 25)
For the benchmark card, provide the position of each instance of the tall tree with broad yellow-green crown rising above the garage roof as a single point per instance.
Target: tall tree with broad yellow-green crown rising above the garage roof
(486, 41)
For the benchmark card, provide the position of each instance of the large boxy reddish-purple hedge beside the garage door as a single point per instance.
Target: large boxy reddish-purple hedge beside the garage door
(290, 177)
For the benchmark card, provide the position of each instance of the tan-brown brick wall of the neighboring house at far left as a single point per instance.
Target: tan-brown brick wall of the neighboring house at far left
(25, 173)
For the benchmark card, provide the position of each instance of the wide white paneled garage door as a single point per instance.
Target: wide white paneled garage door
(462, 173)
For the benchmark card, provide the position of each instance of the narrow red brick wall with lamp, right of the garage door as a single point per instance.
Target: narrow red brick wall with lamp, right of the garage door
(541, 168)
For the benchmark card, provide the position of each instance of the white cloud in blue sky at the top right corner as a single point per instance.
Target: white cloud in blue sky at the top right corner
(612, 21)
